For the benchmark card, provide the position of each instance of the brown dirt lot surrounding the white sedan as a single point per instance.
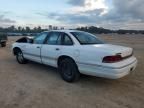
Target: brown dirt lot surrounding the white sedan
(37, 86)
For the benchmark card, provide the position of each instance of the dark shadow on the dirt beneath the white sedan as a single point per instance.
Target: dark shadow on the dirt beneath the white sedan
(83, 78)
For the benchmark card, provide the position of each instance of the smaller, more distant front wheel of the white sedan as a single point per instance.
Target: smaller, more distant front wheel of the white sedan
(19, 57)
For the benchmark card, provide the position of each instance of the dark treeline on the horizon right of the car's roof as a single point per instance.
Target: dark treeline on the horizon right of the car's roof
(100, 30)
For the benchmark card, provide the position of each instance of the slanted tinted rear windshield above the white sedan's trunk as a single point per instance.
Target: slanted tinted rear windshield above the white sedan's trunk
(86, 38)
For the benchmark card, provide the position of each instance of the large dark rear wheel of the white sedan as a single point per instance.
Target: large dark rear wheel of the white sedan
(68, 70)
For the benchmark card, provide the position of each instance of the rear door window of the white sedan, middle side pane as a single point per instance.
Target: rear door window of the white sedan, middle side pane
(54, 38)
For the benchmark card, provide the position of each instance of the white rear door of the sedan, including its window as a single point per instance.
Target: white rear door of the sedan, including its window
(51, 49)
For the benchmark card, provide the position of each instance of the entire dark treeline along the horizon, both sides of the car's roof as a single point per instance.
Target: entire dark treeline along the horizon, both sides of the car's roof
(91, 29)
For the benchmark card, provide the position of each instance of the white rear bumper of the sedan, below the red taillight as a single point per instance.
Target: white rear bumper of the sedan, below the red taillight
(111, 73)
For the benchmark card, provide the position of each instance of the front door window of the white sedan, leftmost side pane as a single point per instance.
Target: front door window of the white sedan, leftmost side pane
(40, 39)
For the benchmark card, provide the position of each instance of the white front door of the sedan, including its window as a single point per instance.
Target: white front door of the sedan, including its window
(33, 50)
